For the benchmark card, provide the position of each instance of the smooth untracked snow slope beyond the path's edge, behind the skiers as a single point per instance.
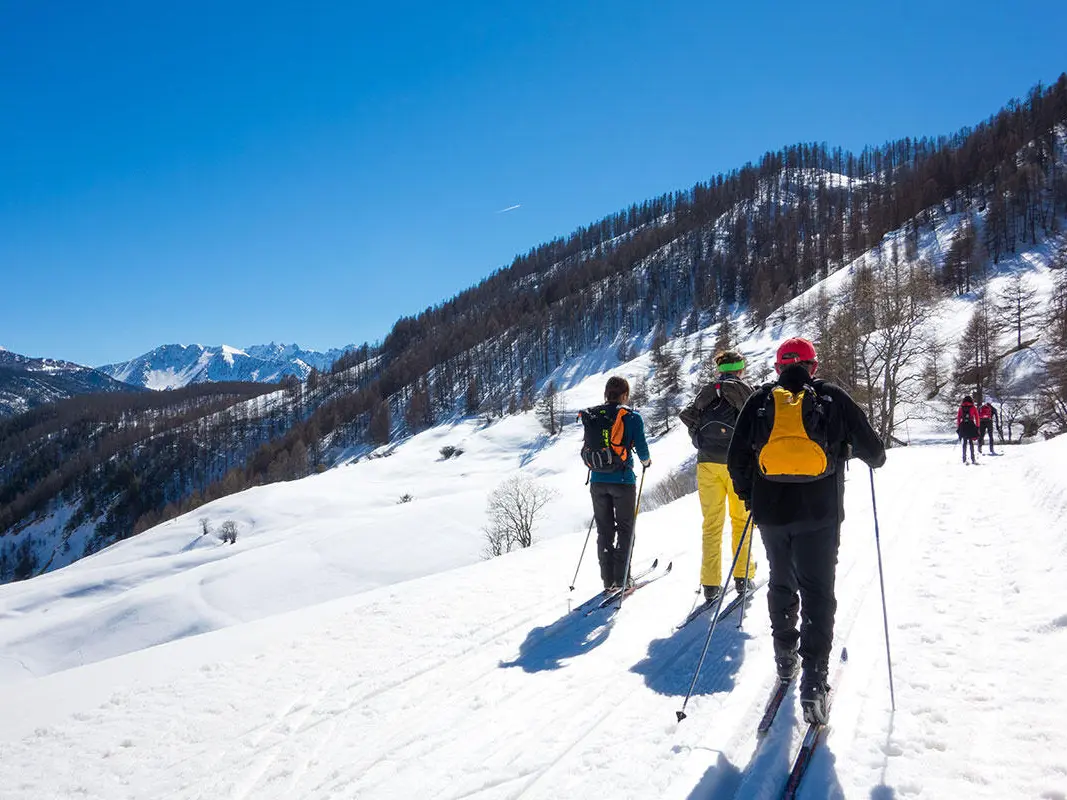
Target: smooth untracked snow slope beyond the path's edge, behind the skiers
(321, 538)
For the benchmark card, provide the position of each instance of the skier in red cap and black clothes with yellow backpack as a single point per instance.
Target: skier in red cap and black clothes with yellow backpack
(788, 463)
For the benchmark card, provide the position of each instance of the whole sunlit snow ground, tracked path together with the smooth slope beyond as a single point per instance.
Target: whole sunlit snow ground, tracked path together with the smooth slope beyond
(472, 682)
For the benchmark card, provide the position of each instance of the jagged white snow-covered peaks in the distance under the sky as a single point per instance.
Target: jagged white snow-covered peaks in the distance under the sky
(172, 366)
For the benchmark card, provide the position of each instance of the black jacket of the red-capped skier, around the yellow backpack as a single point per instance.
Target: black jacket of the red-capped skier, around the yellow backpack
(821, 502)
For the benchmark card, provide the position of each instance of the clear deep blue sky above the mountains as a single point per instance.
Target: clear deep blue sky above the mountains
(247, 172)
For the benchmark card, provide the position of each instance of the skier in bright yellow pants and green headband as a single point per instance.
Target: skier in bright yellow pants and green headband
(711, 419)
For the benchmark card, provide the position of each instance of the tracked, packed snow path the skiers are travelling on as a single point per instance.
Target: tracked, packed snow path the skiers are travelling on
(476, 683)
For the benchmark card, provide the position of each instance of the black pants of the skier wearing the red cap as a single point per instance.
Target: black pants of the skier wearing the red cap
(804, 563)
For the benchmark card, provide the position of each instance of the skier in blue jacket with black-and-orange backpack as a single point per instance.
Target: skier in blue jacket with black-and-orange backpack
(612, 434)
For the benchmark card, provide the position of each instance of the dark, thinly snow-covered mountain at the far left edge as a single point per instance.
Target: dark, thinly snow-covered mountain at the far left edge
(27, 382)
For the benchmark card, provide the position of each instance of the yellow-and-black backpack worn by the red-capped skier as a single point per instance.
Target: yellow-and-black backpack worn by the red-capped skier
(798, 450)
